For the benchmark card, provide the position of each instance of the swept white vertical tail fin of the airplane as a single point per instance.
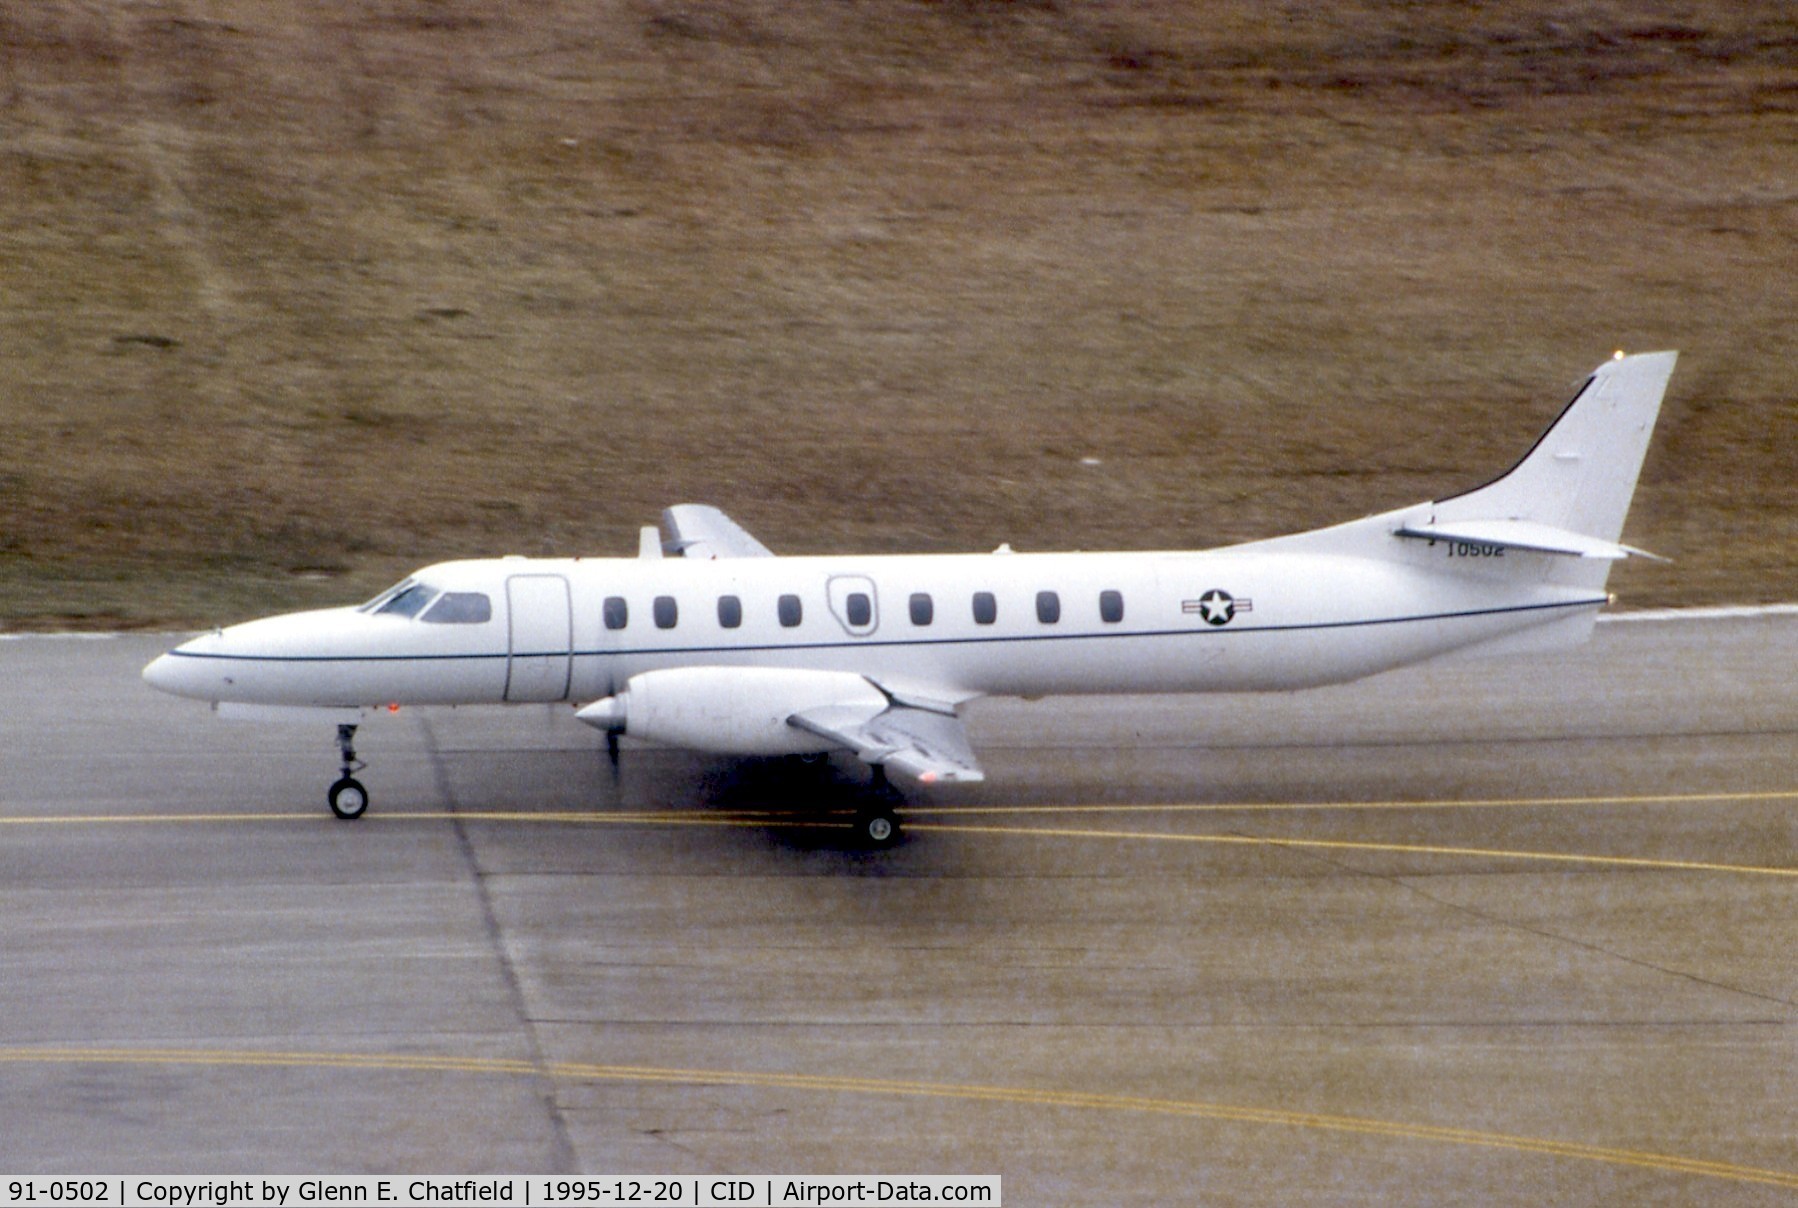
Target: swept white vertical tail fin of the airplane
(1583, 472)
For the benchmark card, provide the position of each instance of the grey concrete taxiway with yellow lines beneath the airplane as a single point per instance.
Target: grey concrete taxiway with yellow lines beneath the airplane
(1484, 932)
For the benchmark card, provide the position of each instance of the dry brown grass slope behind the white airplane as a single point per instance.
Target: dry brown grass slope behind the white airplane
(299, 296)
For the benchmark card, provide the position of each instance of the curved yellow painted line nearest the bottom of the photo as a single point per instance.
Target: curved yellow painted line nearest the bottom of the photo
(1033, 1097)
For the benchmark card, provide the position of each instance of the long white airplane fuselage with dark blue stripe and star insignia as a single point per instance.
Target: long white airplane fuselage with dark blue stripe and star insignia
(1002, 625)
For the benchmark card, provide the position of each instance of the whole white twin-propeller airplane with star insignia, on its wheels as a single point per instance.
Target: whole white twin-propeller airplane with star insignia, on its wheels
(708, 641)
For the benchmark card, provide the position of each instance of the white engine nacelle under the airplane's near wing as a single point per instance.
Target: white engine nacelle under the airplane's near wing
(731, 711)
